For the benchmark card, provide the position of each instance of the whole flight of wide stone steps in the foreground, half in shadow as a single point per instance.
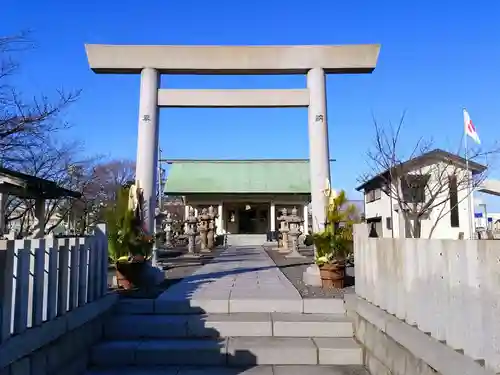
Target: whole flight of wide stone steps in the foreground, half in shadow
(145, 337)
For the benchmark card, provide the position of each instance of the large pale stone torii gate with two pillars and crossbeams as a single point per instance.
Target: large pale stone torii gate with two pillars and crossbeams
(152, 61)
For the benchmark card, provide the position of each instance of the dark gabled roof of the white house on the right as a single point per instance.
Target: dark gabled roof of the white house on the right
(428, 158)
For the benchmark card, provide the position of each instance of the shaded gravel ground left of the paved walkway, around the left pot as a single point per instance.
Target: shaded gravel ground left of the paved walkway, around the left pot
(176, 266)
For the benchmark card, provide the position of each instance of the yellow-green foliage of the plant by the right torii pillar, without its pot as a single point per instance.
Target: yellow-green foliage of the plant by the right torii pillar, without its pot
(334, 243)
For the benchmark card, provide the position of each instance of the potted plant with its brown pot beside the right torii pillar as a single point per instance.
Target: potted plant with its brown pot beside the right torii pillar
(334, 243)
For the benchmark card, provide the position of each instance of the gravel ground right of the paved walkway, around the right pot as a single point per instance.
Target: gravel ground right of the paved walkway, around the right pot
(293, 269)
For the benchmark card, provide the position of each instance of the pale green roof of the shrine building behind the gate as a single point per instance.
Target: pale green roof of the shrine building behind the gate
(238, 176)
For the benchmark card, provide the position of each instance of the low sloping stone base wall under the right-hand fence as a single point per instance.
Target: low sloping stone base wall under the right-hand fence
(393, 347)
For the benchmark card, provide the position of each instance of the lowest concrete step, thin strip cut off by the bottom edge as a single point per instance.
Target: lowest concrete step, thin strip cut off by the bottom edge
(252, 370)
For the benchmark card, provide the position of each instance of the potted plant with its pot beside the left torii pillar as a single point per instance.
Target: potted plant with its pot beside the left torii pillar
(129, 246)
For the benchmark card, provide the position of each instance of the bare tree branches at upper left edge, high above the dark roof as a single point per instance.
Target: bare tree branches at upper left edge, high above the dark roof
(24, 123)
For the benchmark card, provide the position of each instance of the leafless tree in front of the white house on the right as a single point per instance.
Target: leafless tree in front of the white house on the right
(425, 180)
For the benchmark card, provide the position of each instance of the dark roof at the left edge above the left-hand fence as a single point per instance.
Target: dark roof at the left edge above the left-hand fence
(27, 186)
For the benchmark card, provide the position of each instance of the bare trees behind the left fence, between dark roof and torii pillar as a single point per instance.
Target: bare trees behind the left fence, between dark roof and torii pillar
(97, 181)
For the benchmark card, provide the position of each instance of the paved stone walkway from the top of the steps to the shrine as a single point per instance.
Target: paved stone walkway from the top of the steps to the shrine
(240, 279)
